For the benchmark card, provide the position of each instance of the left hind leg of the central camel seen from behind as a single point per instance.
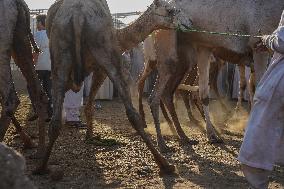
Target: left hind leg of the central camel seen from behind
(61, 59)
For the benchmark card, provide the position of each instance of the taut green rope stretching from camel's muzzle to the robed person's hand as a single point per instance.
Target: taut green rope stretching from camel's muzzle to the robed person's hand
(217, 33)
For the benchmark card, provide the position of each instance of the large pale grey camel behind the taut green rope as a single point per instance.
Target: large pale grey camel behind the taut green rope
(257, 16)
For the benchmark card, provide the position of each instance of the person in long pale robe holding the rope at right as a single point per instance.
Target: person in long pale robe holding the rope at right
(263, 144)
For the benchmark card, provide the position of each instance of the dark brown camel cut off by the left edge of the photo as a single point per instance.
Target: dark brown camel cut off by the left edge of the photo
(16, 39)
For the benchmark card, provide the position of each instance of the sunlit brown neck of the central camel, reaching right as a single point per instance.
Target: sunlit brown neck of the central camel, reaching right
(130, 36)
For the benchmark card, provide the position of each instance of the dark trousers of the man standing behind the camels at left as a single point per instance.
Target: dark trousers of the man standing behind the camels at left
(44, 77)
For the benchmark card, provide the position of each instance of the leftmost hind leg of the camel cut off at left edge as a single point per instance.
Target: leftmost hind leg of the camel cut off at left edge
(9, 99)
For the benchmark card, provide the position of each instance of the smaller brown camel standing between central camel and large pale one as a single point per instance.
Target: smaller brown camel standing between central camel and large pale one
(172, 65)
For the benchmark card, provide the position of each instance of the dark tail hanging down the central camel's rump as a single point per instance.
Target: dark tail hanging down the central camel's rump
(78, 69)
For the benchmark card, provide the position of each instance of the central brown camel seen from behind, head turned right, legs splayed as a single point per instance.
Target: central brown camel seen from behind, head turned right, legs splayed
(101, 55)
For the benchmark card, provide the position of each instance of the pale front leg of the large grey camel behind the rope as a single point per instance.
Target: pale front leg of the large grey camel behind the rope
(203, 57)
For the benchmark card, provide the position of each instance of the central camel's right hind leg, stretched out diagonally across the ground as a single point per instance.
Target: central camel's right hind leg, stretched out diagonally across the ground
(103, 58)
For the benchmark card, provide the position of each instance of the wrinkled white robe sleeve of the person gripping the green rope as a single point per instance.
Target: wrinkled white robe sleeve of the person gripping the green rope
(276, 40)
